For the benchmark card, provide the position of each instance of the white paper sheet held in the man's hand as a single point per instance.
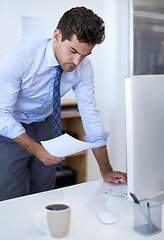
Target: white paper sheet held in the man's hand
(65, 145)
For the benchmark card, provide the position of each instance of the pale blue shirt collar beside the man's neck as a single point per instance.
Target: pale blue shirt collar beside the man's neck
(51, 59)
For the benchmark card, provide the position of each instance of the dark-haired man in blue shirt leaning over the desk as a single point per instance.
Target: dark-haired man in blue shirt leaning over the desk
(27, 73)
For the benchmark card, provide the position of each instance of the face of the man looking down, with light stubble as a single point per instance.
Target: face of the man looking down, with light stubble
(69, 53)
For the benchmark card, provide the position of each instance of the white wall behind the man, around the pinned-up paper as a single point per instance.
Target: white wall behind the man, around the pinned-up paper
(110, 60)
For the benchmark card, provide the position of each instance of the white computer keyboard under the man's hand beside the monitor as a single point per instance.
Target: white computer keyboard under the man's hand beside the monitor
(118, 190)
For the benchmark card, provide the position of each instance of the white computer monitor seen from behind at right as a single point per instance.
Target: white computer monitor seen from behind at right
(144, 104)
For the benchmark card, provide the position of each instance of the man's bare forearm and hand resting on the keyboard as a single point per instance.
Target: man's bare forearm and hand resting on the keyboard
(106, 170)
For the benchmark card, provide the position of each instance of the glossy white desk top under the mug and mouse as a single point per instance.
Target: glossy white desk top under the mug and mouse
(17, 216)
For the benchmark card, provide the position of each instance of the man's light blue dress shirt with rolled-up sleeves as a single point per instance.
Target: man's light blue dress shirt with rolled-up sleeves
(26, 90)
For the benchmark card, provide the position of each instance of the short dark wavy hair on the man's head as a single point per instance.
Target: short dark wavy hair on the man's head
(87, 26)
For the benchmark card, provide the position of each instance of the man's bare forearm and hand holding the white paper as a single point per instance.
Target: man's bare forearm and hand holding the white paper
(36, 149)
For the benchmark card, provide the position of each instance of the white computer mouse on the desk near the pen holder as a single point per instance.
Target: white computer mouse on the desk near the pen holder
(107, 217)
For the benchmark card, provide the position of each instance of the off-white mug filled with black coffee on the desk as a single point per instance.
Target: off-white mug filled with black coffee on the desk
(58, 219)
